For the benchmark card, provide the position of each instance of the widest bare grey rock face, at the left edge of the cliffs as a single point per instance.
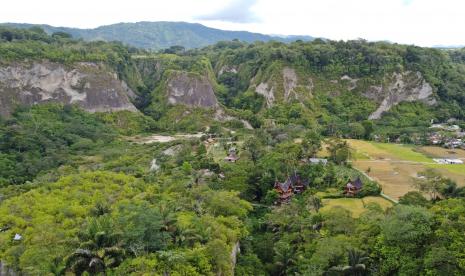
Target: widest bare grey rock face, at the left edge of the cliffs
(91, 86)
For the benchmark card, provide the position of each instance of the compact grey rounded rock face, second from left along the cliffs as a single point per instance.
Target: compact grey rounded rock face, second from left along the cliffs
(191, 90)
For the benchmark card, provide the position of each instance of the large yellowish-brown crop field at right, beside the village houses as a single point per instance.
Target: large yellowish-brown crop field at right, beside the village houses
(394, 165)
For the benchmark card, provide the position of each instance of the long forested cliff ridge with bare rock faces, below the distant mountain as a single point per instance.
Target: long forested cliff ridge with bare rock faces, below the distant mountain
(351, 89)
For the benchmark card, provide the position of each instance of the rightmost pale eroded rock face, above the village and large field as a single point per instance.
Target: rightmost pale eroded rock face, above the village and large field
(400, 87)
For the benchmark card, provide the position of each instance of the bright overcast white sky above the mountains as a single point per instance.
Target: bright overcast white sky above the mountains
(420, 22)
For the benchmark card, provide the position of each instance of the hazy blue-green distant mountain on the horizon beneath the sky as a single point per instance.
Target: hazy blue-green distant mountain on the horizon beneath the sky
(159, 35)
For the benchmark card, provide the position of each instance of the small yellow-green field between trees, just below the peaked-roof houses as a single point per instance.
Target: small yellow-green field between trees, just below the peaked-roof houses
(355, 205)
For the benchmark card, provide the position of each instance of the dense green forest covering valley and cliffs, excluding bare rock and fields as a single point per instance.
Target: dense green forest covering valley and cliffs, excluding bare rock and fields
(79, 194)
